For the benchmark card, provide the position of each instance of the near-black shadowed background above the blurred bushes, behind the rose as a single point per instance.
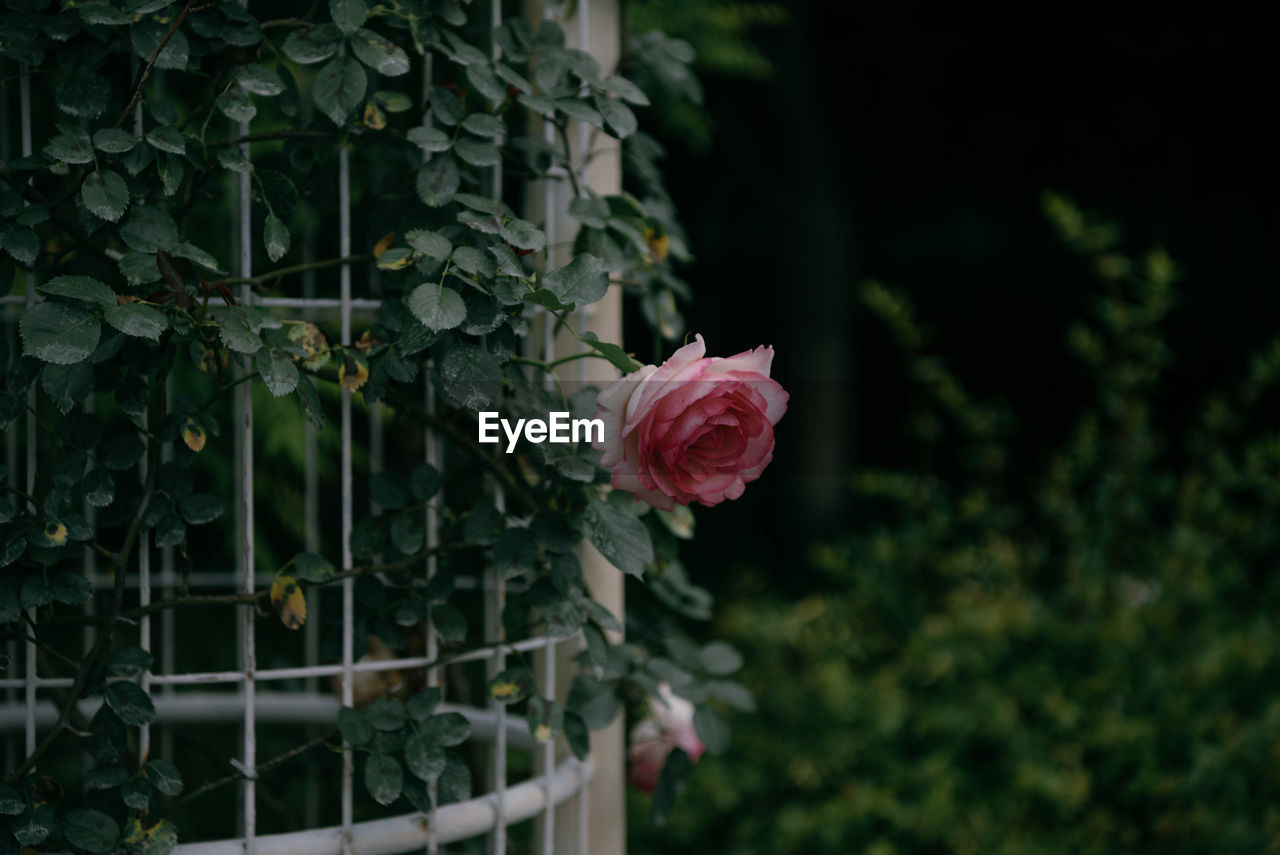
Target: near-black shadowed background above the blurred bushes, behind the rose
(918, 158)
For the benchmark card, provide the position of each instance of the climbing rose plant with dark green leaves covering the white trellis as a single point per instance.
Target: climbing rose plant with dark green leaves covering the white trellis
(116, 227)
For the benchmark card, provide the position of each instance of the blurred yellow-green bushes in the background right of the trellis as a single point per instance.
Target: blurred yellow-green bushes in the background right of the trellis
(1075, 655)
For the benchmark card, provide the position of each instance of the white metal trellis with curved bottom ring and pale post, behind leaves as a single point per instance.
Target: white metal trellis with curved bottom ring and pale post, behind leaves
(560, 794)
